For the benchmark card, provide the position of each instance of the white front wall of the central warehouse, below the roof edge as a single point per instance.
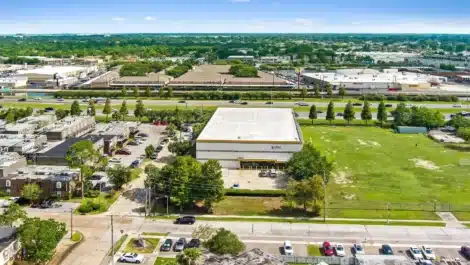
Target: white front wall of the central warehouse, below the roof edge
(229, 154)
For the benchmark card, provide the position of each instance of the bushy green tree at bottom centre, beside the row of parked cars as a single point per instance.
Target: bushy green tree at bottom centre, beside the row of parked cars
(225, 242)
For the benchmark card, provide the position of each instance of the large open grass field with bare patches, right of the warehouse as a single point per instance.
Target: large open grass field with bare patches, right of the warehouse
(375, 166)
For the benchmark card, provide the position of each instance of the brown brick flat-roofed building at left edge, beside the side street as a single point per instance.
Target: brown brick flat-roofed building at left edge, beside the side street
(54, 180)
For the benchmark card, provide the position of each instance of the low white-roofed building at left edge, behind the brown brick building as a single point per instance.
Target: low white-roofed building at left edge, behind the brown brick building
(20, 143)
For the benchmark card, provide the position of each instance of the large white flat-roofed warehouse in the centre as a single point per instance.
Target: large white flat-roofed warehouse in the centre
(250, 137)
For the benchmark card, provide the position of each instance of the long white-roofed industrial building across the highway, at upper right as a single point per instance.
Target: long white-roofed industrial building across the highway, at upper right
(369, 79)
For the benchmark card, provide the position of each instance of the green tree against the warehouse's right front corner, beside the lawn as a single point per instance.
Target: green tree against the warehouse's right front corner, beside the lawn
(308, 163)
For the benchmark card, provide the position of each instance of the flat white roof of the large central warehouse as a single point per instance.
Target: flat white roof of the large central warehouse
(265, 125)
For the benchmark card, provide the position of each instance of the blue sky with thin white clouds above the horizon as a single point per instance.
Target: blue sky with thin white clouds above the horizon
(227, 16)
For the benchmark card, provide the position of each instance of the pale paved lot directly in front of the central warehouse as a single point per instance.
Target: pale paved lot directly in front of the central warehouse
(251, 179)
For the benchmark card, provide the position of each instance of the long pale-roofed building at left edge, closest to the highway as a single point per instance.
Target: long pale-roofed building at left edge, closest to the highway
(29, 124)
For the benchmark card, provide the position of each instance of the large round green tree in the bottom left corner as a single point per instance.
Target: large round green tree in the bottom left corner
(39, 238)
